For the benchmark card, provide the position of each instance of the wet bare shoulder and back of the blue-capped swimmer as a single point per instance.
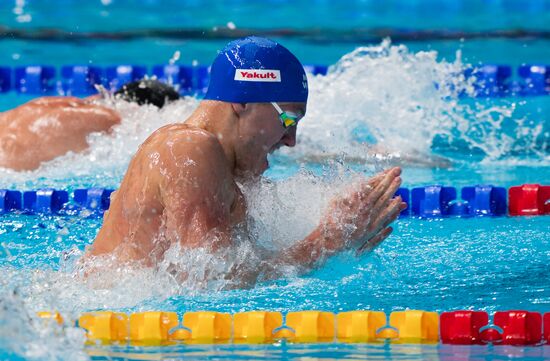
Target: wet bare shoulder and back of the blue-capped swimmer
(170, 171)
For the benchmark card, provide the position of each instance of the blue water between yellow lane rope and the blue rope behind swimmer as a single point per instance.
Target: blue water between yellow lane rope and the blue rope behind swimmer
(435, 265)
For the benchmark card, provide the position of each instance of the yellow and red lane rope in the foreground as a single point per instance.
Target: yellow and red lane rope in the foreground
(464, 327)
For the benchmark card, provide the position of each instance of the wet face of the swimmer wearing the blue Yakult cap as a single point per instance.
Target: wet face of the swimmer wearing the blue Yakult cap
(261, 133)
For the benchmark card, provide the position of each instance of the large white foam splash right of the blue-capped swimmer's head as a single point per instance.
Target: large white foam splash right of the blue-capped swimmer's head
(403, 101)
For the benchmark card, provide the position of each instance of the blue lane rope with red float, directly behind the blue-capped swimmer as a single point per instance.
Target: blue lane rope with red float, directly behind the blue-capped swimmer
(433, 201)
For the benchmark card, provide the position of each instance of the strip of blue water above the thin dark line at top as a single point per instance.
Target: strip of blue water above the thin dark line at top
(106, 15)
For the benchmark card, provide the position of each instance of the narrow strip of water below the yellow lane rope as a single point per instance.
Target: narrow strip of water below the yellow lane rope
(320, 351)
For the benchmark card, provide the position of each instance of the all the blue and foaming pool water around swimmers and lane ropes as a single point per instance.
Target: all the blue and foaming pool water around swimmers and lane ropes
(383, 93)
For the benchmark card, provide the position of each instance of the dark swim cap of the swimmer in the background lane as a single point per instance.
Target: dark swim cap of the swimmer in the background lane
(147, 91)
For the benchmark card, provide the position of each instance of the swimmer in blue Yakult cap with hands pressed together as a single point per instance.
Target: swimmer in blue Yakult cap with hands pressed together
(181, 186)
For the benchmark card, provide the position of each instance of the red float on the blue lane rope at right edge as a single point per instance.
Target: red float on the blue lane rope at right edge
(529, 200)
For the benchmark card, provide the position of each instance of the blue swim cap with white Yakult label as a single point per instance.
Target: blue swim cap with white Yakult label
(257, 70)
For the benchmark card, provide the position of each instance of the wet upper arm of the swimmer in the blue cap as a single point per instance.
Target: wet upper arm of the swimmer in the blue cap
(194, 192)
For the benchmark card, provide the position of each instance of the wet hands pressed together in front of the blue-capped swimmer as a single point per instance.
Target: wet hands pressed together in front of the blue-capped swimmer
(358, 219)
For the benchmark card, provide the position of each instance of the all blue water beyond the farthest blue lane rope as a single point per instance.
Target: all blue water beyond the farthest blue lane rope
(325, 19)
